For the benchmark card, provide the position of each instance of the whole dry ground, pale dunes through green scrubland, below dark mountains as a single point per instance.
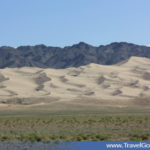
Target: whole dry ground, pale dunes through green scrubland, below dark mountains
(93, 102)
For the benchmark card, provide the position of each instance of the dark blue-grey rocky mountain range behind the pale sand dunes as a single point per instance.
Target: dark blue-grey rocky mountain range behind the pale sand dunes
(71, 56)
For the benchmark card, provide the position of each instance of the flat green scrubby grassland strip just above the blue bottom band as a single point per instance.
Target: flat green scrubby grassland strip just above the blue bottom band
(75, 127)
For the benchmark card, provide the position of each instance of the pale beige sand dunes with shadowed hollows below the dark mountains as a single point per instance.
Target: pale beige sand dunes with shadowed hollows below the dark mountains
(99, 84)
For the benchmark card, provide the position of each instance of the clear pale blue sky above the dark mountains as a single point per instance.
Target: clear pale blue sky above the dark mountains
(66, 22)
